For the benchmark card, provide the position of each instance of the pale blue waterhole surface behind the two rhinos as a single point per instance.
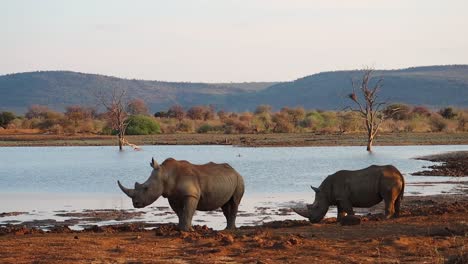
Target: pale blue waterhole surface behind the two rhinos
(48, 179)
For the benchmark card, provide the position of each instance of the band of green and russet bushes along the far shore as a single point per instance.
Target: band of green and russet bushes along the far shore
(205, 119)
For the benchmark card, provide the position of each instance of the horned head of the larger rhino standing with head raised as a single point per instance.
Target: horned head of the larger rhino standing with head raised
(146, 193)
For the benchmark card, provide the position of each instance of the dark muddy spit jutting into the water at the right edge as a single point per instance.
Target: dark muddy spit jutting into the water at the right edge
(454, 164)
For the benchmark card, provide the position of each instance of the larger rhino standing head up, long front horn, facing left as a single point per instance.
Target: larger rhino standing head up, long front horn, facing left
(190, 187)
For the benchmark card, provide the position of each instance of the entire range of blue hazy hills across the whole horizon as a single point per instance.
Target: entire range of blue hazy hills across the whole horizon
(432, 86)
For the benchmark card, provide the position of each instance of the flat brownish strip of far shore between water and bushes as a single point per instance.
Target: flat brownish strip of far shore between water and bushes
(253, 140)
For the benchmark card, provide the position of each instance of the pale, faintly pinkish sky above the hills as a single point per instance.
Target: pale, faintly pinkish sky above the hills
(229, 40)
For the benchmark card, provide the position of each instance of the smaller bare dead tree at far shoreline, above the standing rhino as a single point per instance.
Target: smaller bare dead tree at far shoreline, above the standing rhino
(116, 110)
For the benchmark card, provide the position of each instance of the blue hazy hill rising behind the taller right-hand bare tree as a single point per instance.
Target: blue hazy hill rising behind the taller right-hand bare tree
(432, 86)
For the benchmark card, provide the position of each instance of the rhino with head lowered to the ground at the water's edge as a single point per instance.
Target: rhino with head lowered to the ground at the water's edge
(360, 188)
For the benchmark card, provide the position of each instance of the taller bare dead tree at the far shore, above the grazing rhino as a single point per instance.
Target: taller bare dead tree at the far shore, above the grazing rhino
(368, 106)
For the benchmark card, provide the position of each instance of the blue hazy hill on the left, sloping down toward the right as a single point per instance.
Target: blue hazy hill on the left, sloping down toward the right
(58, 89)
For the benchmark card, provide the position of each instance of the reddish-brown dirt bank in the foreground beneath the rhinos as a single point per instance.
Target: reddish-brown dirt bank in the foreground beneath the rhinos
(432, 229)
